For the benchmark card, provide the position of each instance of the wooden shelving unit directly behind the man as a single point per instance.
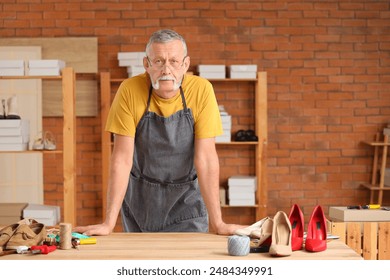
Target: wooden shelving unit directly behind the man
(260, 146)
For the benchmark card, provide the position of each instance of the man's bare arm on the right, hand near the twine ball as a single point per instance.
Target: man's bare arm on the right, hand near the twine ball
(207, 167)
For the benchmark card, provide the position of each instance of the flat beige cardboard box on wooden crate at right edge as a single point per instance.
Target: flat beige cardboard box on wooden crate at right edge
(342, 214)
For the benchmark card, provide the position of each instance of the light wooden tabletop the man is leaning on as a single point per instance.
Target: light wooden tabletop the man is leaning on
(175, 246)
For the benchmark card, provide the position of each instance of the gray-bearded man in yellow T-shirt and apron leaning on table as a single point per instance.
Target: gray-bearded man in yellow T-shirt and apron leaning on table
(164, 173)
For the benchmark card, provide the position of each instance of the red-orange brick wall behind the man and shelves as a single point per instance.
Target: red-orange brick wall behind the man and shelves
(328, 65)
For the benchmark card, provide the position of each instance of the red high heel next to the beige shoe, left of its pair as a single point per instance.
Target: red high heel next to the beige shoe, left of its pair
(297, 225)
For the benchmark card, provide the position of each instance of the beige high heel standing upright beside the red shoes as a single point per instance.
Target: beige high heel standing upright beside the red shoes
(281, 236)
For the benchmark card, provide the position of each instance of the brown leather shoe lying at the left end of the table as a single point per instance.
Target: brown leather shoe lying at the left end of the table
(27, 235)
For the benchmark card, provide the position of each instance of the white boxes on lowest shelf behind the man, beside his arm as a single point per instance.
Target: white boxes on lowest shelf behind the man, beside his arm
(241, 190)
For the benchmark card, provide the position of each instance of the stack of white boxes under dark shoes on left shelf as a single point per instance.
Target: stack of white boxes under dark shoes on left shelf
(14, 135)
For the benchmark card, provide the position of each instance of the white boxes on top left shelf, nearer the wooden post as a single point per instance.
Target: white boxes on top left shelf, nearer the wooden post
(45, 67)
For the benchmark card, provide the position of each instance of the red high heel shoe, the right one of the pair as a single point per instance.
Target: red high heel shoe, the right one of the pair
(316, 231)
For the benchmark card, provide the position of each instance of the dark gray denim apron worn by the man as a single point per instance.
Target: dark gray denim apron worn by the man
(163, 192)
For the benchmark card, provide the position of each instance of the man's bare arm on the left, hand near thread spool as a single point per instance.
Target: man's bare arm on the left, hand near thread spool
(120, 167)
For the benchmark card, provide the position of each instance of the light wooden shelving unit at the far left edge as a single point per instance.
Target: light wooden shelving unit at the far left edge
(69, 139)
